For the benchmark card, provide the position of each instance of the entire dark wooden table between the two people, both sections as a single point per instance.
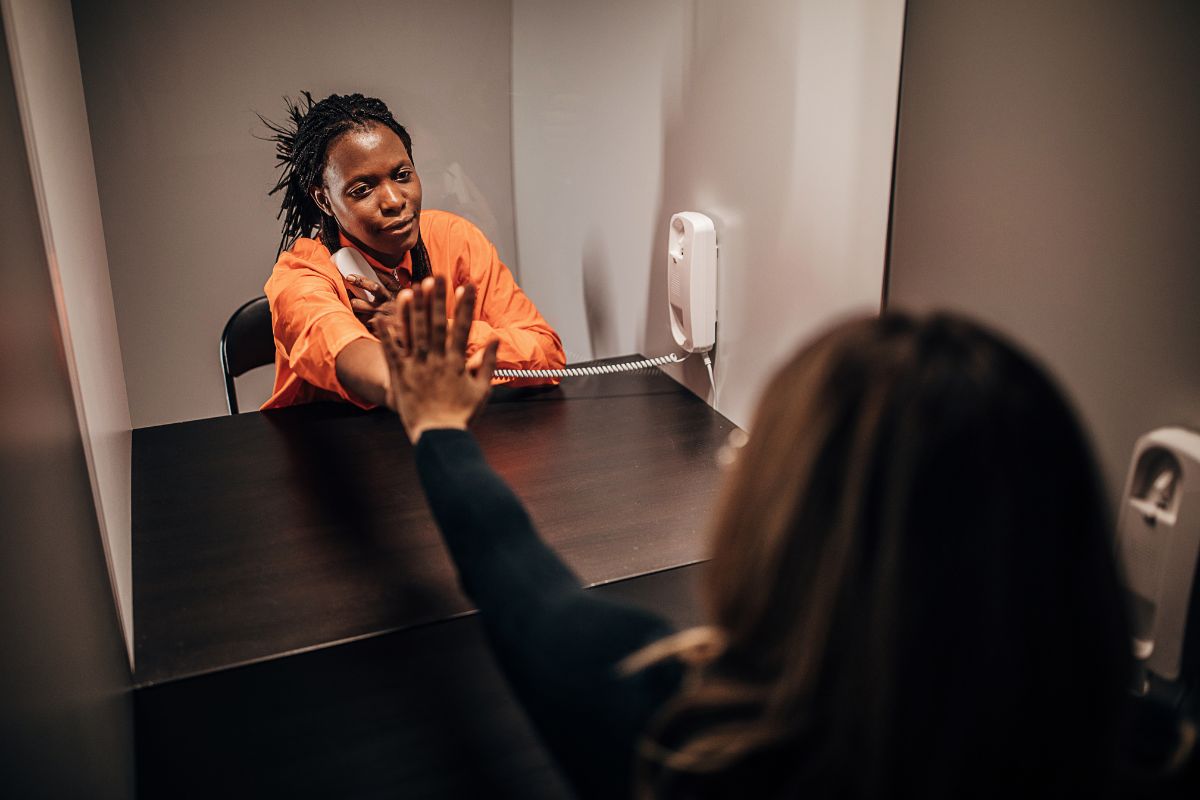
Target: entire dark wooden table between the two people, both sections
(284, 534)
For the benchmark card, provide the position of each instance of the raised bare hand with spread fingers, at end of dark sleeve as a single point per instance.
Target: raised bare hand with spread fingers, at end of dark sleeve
(431, 384)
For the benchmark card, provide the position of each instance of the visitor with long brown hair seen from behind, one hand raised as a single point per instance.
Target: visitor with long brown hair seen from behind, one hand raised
(913, 590)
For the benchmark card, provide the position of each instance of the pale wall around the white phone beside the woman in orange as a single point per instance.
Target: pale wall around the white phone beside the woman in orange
(776, 119)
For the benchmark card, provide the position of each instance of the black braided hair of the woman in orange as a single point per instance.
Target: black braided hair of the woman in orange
(301, 147)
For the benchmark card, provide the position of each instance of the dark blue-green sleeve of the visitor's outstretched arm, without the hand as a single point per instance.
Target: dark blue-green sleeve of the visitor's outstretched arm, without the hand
(557, 643)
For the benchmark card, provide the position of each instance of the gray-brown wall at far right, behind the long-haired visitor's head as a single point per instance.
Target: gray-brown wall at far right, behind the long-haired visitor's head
(1048, 181)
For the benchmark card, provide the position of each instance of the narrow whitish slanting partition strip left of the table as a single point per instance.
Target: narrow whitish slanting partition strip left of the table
(50, 93)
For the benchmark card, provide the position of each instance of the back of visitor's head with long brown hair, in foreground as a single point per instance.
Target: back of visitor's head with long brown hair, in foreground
(913, 585)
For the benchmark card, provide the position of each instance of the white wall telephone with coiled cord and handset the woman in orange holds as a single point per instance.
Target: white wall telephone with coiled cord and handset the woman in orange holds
(692, 297)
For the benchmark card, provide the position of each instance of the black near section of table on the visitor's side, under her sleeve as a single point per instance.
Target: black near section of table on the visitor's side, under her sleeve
(422, 714)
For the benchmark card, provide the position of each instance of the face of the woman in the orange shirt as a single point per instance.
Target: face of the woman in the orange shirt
(374, 193)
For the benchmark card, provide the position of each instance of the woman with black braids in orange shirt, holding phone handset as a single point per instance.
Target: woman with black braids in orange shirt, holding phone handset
(349, 181)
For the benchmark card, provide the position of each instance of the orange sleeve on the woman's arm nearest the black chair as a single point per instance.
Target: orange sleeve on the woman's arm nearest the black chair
(311, 316)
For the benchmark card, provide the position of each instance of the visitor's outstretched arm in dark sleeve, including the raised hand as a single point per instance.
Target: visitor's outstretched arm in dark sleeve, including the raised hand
(559, 645)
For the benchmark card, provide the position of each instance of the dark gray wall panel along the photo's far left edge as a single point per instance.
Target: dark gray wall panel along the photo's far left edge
(65, 705)
